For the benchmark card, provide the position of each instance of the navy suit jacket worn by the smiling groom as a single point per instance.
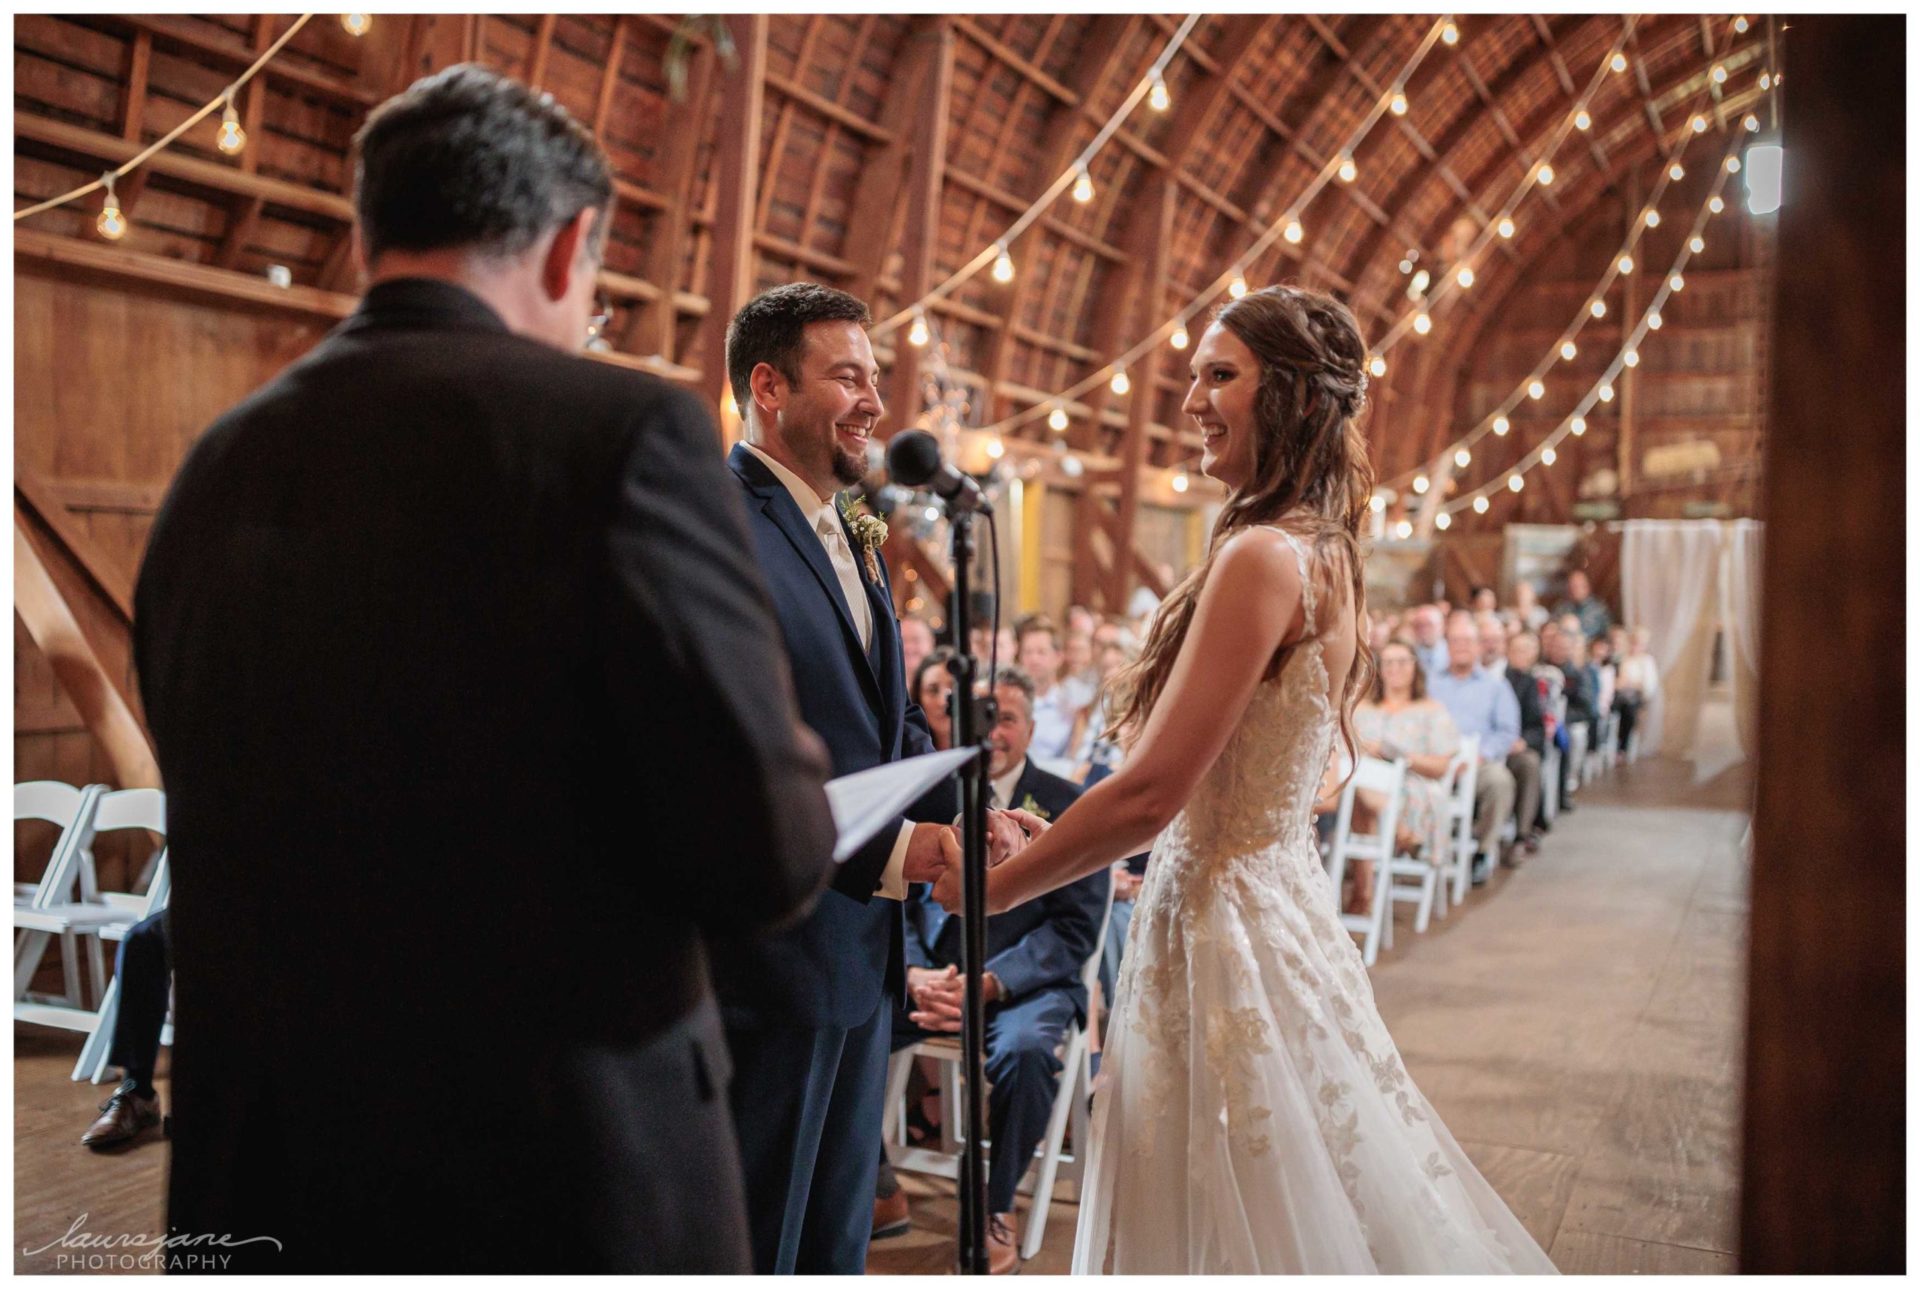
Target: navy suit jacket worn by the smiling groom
(832, 967)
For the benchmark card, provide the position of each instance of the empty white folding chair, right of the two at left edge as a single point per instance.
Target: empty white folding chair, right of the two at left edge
(93, 913)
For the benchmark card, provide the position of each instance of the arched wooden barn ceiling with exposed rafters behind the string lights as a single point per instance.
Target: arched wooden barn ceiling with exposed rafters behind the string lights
(800, 151)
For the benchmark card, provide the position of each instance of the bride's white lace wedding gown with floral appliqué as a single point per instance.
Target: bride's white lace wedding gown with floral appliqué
(1257, 1115)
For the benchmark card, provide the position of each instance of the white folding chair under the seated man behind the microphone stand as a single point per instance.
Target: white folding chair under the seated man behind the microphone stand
(1059, 1169)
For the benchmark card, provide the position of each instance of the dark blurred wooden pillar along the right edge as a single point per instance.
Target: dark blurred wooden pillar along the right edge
(1827, 1015)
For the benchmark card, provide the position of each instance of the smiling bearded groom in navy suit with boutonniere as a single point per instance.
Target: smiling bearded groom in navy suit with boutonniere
(809, 1011)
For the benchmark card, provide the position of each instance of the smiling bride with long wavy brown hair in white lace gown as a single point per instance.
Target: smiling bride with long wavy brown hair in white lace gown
(1259, 1117)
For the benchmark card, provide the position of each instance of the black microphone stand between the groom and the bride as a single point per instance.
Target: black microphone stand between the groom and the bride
(972, 719)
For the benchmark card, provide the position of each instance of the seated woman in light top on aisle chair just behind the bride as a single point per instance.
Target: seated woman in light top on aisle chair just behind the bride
(1399, 721)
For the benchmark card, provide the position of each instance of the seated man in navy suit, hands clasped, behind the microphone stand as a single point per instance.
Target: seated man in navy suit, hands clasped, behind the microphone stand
(1036, 956)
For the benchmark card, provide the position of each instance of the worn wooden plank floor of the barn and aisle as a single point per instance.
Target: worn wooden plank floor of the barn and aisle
(1577, 1027)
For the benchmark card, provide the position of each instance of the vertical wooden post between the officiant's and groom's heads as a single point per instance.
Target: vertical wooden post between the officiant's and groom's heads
(736, 178)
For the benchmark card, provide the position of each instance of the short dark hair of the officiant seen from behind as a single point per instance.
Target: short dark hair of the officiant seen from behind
(473, 158)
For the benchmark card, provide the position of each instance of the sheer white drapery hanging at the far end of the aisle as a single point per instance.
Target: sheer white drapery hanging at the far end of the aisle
(1671, 575)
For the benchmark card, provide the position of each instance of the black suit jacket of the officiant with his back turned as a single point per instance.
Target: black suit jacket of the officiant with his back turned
(473, 719)
